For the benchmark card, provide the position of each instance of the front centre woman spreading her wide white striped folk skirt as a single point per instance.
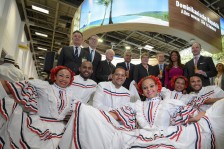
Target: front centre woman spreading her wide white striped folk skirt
(144, 124)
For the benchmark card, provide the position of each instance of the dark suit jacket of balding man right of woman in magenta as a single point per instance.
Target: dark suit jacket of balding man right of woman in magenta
(204, 63)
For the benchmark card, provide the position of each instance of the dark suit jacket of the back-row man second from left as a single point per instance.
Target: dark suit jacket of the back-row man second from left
(96, 62)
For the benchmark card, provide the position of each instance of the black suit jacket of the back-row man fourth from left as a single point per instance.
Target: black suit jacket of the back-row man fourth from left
(131, 73)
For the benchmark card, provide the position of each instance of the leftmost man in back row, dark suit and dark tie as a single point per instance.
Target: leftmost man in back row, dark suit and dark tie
(73, 56)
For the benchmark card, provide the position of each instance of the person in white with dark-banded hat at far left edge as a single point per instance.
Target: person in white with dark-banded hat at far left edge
(9, 72)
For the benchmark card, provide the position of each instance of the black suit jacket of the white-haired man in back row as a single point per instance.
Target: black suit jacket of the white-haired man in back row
(104, 70)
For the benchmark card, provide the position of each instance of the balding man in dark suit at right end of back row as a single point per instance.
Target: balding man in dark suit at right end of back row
(201, 65)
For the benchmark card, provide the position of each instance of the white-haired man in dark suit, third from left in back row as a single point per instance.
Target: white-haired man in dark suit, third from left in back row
(105, 68)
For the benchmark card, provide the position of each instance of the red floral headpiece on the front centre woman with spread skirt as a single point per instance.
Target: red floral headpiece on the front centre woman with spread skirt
(157, 82)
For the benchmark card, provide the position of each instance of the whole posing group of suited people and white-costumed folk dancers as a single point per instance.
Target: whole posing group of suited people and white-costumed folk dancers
(93, 108)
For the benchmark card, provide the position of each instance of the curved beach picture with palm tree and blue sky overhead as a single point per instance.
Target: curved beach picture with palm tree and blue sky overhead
(103, 12)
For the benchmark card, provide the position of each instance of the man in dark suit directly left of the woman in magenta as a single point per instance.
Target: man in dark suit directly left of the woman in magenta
(161, 67)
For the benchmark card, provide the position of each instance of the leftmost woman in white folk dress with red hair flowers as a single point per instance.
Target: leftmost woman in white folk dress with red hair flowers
(40, 113)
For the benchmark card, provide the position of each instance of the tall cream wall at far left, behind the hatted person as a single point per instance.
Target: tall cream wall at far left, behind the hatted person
(11, 29)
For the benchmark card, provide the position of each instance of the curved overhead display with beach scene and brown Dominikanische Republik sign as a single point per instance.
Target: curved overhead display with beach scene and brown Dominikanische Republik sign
(184, 19)
